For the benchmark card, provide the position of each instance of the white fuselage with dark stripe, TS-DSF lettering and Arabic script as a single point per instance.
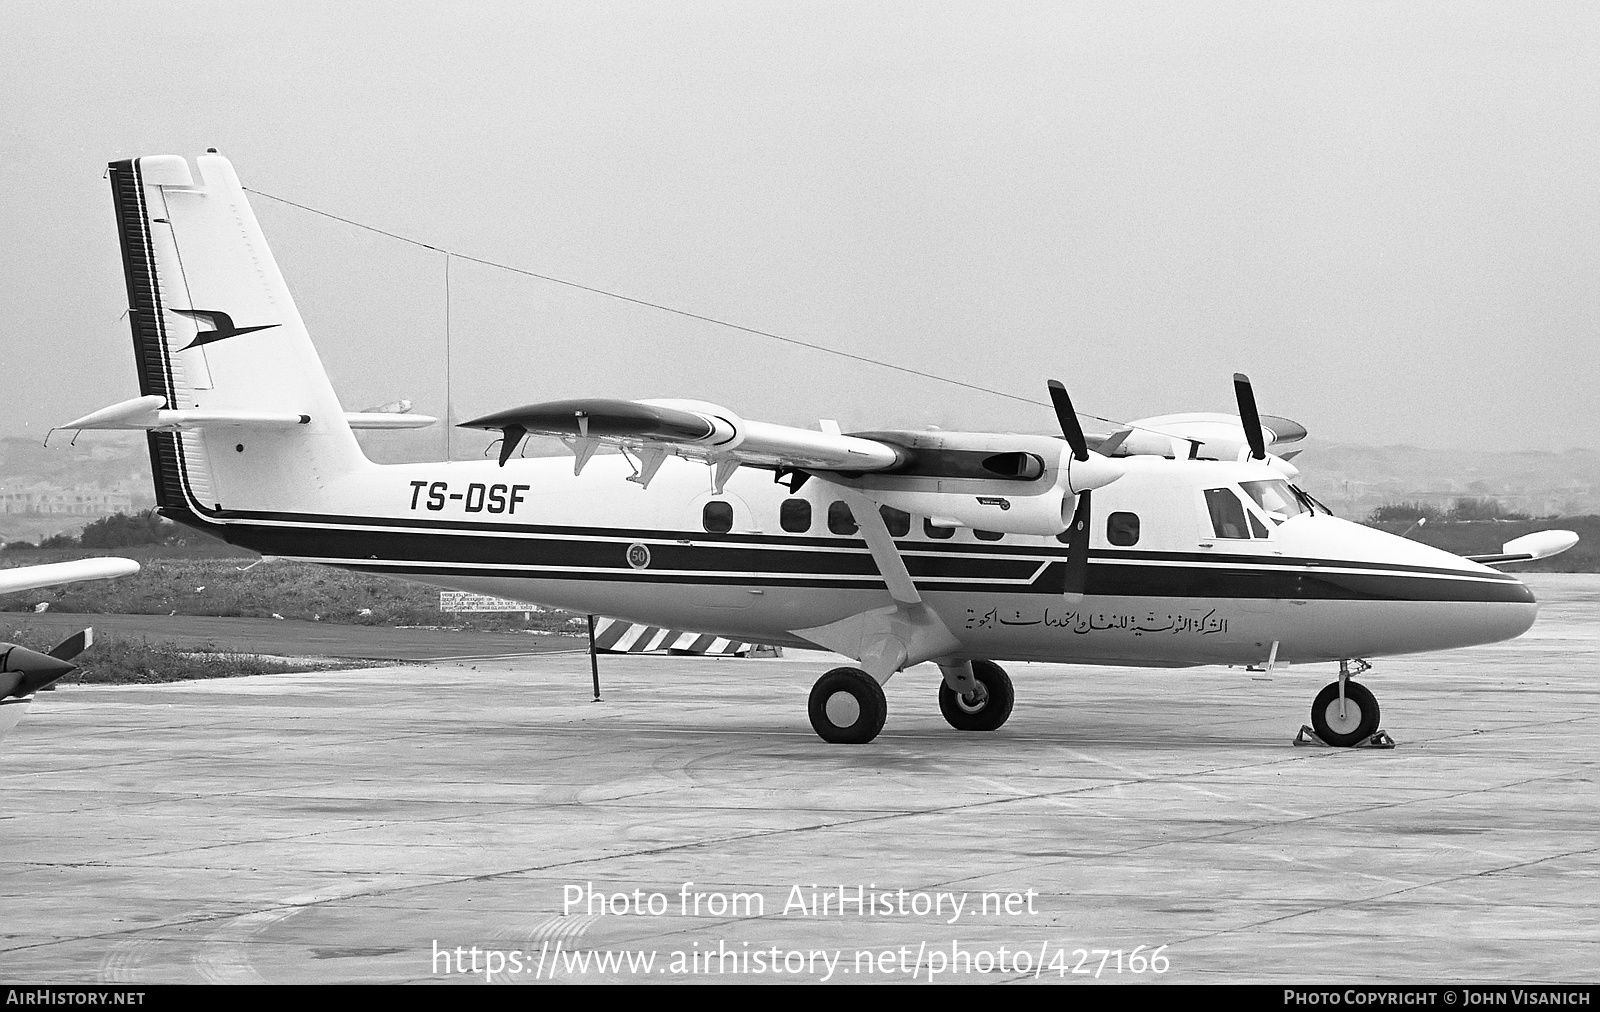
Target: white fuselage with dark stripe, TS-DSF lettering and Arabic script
(1191, 563)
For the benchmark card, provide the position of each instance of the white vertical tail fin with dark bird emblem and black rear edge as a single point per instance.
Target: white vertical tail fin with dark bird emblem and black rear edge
(217, 329)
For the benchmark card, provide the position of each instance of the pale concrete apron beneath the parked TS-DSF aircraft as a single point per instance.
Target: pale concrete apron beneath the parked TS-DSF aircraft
(362, 825)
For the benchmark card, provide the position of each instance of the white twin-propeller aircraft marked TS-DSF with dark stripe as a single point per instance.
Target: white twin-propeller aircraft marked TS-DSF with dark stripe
(892, 548)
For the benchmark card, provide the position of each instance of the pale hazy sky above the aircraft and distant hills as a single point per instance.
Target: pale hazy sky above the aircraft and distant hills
(1388, 214)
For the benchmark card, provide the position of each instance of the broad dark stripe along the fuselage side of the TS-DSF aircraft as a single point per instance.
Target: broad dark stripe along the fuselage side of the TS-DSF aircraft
(695, 560)
